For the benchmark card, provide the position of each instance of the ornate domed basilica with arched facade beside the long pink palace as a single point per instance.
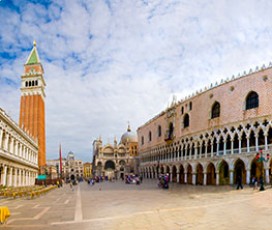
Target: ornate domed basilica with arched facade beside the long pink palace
(117, 160)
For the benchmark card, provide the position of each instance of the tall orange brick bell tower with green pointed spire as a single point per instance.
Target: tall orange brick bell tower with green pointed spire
(32, 105)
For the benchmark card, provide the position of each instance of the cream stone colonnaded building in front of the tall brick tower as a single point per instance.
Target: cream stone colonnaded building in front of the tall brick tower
(18, 154)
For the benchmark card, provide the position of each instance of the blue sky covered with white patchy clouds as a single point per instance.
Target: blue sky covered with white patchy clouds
(108, 63)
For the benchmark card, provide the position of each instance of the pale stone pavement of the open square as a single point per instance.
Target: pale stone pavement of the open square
(118, 206)
